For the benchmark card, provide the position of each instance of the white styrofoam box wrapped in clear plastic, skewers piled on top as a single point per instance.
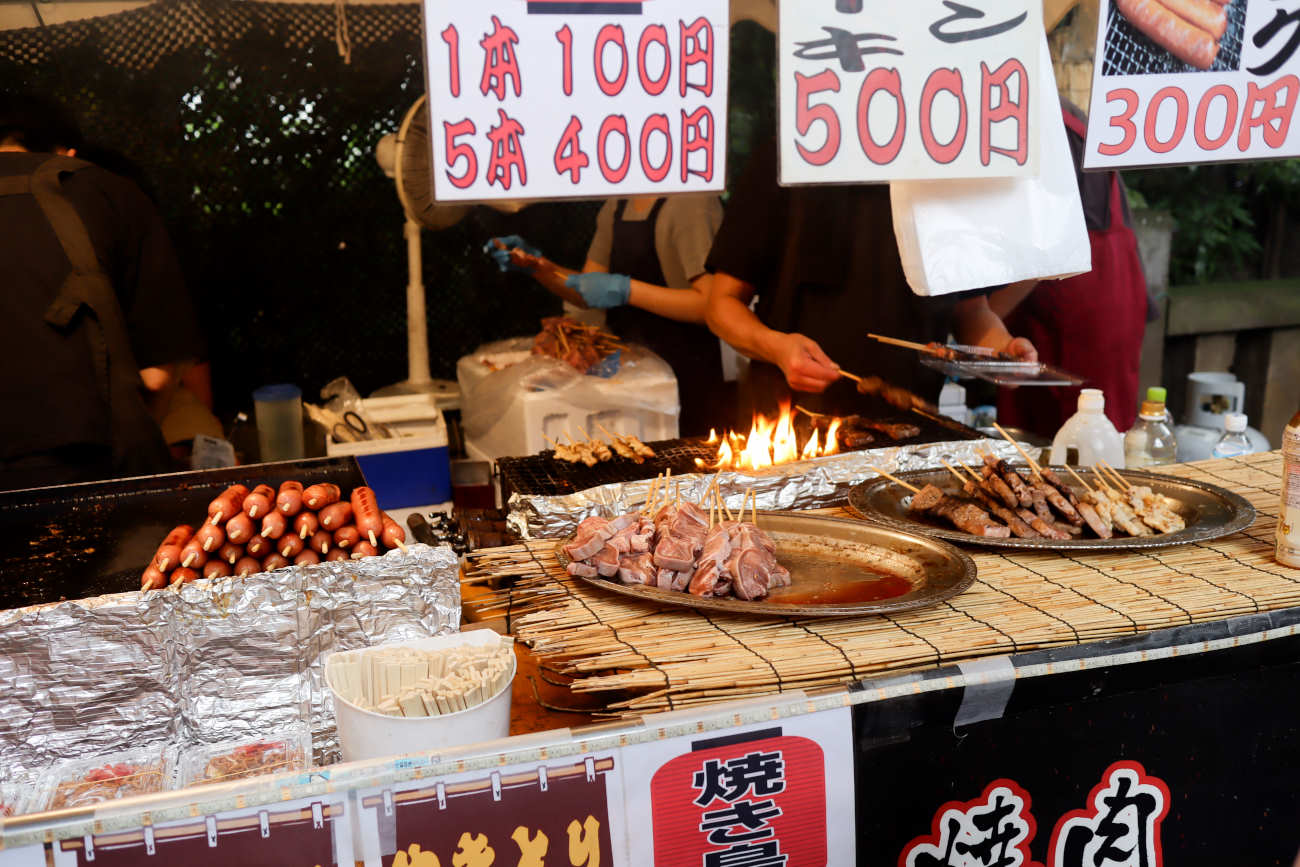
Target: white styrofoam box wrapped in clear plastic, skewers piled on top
(530, 418)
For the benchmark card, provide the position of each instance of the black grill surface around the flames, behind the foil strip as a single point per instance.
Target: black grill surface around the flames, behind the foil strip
(544, 476)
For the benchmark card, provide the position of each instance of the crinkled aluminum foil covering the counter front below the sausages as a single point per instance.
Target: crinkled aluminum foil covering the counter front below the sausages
(218, 661)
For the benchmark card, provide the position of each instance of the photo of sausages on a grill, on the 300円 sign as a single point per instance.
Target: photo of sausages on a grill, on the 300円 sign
(1173, 37)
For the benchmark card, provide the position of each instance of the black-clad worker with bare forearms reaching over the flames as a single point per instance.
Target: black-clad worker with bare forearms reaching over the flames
(825, 267)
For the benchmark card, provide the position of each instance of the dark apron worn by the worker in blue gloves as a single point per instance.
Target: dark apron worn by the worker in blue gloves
(692, 352)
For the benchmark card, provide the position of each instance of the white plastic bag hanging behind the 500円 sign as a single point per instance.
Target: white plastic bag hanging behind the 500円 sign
(955, 236)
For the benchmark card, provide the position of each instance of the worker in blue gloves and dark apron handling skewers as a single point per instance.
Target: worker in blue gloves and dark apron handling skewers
(647, 267)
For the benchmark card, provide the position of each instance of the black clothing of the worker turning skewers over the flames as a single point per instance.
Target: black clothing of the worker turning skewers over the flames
(826, 266)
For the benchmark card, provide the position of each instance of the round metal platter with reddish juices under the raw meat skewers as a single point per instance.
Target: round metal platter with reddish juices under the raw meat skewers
(839, 567)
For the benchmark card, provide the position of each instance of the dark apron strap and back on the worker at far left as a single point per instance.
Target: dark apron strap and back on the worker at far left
(86, 301)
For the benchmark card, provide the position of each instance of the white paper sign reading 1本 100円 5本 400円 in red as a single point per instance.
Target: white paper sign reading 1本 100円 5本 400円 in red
(547, 99)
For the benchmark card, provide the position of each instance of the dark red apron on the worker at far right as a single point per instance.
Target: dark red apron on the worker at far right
(1091, 326)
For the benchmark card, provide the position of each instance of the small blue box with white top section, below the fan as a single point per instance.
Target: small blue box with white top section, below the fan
(413, 469)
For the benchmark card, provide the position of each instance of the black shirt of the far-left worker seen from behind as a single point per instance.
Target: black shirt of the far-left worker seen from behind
(49, 391)
